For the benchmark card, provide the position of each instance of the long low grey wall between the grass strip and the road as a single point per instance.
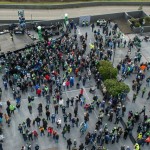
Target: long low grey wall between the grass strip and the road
(80, 4)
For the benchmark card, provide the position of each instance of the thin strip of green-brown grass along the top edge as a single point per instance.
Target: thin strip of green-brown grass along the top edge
(62, 1)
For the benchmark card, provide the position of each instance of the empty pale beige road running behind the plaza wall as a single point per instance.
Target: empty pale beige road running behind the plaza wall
(52, 14)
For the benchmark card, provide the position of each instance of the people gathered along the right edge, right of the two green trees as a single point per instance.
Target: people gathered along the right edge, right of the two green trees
(127, 68)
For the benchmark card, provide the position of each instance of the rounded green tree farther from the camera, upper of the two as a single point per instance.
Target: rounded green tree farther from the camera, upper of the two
(107, 70)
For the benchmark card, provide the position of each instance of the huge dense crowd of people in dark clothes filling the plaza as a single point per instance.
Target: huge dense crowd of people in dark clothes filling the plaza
(52, 67)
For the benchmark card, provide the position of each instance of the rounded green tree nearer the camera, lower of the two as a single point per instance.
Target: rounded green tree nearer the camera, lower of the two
(115, 88)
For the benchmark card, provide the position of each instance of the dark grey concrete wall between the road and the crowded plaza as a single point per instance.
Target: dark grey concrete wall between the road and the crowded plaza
(113, 16)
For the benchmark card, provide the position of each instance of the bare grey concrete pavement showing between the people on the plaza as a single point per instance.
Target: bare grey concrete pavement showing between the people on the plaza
(16, 142)
